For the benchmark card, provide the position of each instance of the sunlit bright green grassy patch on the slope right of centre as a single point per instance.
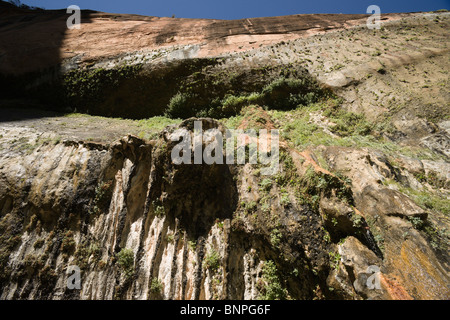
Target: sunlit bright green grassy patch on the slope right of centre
(351, 130)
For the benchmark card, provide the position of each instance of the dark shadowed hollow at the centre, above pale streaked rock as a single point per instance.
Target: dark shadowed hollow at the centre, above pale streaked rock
(194, 194)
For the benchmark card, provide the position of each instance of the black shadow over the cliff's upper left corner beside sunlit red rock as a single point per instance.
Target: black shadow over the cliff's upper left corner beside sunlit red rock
(30, 53)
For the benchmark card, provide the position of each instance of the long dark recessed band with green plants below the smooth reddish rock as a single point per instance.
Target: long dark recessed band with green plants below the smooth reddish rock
(191, 87)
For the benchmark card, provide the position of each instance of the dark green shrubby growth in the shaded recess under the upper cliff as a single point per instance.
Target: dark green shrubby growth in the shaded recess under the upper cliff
(220, 94)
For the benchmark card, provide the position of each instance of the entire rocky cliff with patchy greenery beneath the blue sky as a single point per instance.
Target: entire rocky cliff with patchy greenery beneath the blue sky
(364, 163)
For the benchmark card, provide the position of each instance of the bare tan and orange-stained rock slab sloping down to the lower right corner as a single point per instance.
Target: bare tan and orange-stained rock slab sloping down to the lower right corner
(389, 214)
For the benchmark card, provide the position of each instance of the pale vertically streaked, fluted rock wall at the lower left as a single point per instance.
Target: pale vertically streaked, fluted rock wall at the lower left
(82, 203)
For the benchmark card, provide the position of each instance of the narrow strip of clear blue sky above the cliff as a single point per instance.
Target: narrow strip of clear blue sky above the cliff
(237, 9)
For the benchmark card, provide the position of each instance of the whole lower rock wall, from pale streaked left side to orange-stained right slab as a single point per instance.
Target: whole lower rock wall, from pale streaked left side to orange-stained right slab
(206, 231)
